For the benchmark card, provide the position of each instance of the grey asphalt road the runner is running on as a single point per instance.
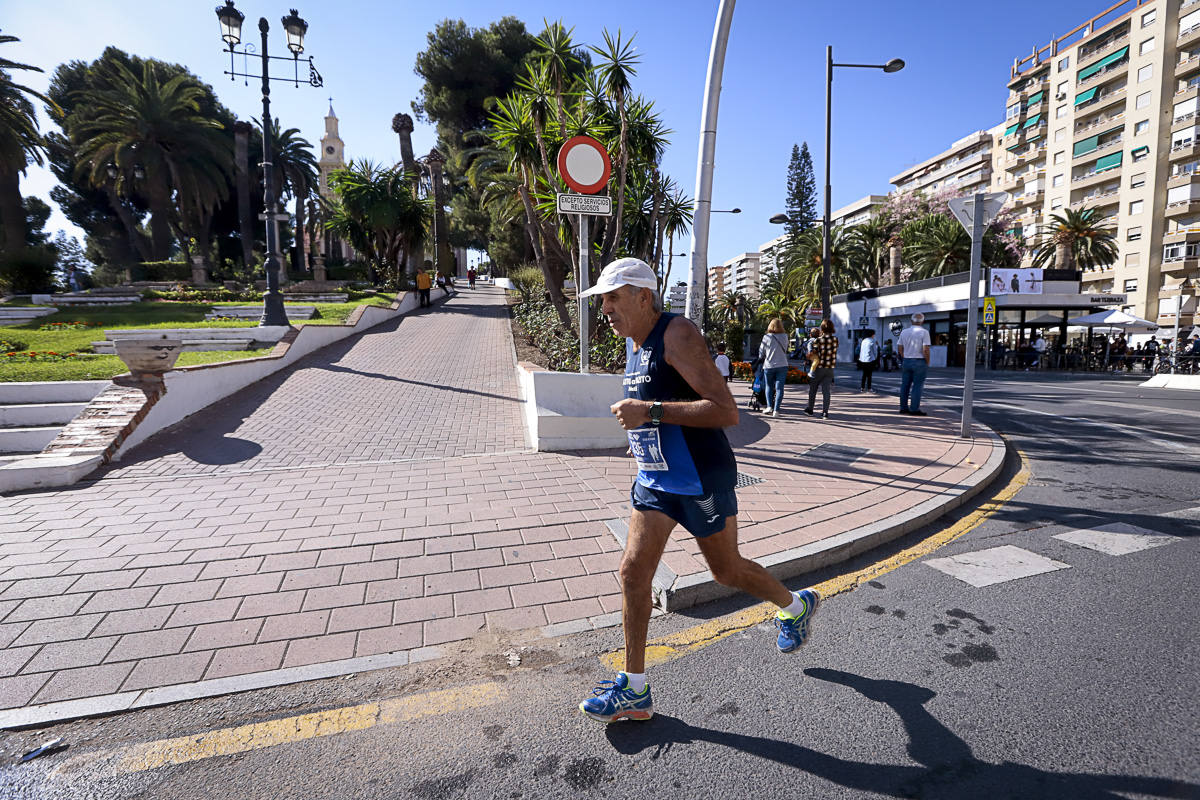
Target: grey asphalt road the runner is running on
(1075, 683)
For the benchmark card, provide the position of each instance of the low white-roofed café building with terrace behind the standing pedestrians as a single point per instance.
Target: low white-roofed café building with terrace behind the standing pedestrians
(1021, 318)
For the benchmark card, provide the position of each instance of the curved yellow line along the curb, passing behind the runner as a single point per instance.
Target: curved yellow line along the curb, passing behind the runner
(679, 645)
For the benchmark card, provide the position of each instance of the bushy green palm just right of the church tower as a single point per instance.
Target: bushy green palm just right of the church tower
(375, 210)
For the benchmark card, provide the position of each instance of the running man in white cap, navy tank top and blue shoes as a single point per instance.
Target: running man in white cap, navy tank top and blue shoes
(676, 405)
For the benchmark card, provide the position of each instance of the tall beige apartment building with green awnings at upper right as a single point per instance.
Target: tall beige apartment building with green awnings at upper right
(1106, 117)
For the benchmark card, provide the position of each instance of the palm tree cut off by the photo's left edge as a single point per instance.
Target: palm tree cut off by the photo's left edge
(21, 142)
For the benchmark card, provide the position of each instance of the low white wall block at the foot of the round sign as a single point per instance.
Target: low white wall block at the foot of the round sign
(568, 411)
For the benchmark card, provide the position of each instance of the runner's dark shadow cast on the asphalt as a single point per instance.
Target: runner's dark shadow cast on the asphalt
(949, 769)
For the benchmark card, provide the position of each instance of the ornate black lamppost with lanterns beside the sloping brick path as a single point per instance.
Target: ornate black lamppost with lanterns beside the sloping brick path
(296, 29)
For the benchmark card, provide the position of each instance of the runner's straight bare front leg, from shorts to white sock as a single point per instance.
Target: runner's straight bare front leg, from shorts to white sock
(649, 533)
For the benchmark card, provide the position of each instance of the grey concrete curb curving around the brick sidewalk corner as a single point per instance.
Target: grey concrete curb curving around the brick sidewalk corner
(674, 593)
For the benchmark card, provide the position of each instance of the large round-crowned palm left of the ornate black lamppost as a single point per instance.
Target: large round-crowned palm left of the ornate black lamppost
(154, 131)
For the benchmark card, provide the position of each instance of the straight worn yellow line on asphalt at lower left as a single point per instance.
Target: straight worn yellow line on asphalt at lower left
(259, 736)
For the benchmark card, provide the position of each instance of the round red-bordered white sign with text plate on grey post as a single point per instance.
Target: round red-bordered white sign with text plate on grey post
(585, 166)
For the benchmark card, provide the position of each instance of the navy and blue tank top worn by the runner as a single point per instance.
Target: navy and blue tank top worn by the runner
(675, 459)
